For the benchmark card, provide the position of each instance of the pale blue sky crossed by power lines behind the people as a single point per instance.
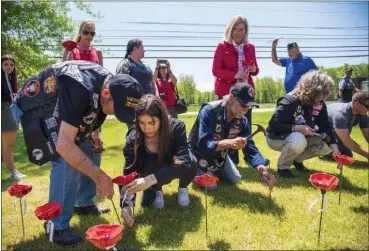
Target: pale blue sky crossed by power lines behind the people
(118, 25)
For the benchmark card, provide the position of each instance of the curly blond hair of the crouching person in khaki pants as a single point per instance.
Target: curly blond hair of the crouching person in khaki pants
(312, 85)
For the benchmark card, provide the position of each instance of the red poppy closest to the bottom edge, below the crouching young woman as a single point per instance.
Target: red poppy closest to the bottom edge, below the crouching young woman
(104, 235)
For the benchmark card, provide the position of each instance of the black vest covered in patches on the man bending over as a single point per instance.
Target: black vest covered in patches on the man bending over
(38, 97)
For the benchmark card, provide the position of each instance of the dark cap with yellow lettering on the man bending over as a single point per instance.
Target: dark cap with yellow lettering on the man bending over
(126, 93)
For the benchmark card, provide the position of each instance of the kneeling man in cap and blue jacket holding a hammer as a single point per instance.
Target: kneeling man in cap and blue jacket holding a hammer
(220, 130)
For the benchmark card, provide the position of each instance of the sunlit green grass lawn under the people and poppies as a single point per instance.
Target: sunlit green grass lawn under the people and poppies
(239, 216)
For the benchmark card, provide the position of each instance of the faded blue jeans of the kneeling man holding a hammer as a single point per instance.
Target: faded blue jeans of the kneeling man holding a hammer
(228, 173)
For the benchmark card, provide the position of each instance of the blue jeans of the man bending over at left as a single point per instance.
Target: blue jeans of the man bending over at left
(70, 187)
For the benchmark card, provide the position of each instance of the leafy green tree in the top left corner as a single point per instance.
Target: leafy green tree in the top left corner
(32, 31)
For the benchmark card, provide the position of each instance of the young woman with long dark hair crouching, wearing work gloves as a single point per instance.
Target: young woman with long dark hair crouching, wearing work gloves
(157, 150)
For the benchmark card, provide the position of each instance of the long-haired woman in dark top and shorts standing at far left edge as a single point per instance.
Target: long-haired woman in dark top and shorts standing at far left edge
(9, 125)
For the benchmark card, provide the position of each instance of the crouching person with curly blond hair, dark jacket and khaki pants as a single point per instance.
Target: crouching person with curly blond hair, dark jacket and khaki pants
(299, 127)
